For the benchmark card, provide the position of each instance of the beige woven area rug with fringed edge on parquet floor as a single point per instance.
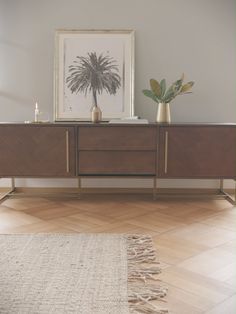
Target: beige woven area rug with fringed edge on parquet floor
(78, 273)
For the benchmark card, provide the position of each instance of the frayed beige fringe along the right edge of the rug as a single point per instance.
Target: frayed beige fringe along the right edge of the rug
(141, 292)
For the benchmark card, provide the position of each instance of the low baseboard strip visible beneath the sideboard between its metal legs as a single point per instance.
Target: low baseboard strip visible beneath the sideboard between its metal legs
(186, 191)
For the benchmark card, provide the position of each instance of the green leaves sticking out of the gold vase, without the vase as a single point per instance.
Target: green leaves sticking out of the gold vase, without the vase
(160, 94)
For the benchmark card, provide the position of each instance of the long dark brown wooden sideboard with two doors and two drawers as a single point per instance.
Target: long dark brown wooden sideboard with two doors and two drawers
(86, 149)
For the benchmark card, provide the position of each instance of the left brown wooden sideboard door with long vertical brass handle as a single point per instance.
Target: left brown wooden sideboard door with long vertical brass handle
(30, 150)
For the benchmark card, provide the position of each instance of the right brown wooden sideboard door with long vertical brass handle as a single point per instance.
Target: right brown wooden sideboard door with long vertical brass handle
(197, 152)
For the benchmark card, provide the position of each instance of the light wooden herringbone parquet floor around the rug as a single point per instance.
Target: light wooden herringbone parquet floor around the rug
(195, 239)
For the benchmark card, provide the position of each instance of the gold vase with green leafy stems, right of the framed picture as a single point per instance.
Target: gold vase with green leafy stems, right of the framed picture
(163, 96)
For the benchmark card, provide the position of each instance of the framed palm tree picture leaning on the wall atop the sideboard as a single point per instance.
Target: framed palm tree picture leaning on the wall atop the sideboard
(93, 67)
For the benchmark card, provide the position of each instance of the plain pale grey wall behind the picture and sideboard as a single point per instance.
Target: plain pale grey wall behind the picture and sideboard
(172, 36)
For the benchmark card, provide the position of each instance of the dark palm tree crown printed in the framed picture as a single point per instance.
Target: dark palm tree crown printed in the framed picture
(94, 74)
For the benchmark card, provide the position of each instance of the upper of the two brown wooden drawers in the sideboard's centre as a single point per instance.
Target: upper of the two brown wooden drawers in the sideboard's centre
(117, 138)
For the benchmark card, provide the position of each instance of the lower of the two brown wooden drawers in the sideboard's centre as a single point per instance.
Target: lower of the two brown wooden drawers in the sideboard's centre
(116, 163)
